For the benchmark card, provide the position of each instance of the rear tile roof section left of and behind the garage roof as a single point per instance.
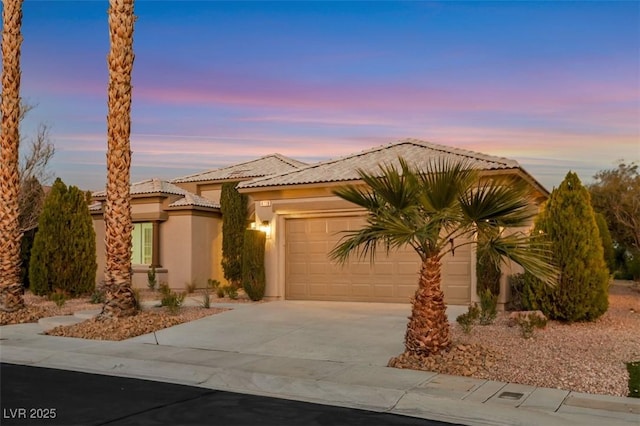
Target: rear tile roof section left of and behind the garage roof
(264, 166)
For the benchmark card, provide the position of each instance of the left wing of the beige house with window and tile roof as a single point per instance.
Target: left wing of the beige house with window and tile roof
(177, 224)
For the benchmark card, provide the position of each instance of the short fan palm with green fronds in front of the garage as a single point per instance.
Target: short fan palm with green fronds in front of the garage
(435, 210)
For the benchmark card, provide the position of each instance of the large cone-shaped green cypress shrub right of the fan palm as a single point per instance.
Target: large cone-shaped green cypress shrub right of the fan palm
(569, 223)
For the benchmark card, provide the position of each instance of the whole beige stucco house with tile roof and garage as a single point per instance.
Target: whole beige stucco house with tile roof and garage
(303, 220)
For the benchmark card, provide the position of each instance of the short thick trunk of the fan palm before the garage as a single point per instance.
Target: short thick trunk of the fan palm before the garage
(428, 328)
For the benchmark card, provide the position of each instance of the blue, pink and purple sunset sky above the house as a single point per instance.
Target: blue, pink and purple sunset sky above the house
(554, 85)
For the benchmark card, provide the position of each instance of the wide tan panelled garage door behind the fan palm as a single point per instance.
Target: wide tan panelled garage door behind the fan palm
(310, 275)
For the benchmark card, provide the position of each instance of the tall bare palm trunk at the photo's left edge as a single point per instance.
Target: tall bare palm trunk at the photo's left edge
(11, 298)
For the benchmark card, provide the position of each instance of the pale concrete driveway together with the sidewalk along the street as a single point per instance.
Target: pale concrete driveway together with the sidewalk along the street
(322, 352)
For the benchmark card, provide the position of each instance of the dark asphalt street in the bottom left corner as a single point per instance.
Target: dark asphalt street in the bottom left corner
(43, 396)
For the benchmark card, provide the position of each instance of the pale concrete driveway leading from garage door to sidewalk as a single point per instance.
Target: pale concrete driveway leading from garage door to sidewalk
(363, 333)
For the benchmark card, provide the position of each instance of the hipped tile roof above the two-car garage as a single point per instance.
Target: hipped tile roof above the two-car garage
(345, 168)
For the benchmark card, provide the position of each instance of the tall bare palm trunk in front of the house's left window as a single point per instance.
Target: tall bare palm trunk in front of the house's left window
(120, 299)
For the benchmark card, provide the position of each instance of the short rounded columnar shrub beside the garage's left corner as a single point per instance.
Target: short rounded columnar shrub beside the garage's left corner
(253, 273)
